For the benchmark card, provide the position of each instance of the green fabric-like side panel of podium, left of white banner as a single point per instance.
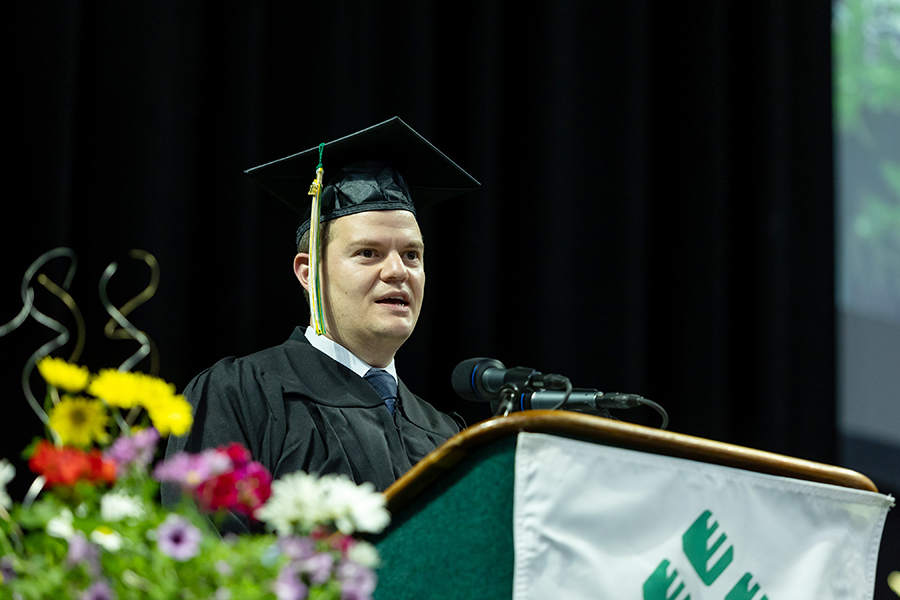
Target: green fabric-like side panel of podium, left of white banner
(454, 540)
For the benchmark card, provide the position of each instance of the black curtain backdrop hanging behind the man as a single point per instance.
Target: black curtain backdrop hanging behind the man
(655, 215)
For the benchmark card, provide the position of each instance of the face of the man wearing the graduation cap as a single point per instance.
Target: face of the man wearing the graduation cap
(373, 282)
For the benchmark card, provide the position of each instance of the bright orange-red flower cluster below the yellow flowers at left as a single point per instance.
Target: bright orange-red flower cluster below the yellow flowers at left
(66, 465)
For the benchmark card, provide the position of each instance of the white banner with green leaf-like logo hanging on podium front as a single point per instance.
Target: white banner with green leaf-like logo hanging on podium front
(592, 521)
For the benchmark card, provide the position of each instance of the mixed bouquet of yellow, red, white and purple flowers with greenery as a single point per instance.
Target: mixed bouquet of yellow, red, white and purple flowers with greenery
(91, 526)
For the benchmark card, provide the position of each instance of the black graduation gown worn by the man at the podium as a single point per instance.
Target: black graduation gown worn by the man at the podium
(295, 408)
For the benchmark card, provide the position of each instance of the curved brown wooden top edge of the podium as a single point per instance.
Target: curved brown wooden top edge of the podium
(612, 433)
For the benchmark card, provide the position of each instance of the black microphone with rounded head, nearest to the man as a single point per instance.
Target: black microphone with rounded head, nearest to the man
(481, 379)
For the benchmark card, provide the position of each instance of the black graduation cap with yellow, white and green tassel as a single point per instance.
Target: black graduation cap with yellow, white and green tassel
(387, 166)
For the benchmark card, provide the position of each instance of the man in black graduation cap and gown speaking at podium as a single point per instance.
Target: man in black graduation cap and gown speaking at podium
(328, 400)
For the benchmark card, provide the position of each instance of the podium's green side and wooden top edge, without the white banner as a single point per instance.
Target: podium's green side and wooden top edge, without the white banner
(452, 530)
